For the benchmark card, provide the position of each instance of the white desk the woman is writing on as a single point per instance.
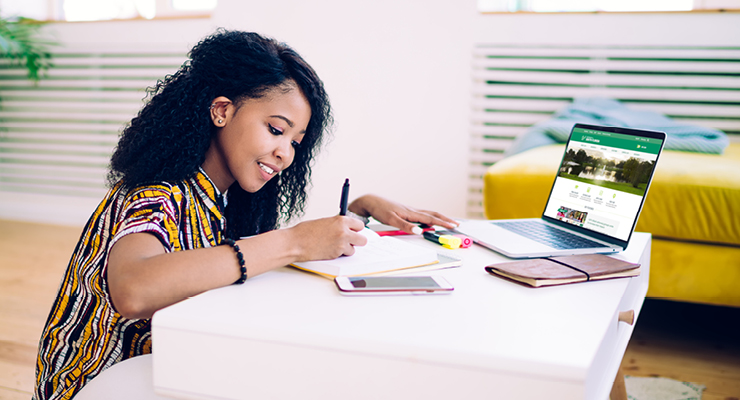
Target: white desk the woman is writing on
(289, 334)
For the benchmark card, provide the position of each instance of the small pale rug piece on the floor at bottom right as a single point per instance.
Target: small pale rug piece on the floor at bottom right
(641, 388)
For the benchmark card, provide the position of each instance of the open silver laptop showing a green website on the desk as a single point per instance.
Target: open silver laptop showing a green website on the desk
(594, 203)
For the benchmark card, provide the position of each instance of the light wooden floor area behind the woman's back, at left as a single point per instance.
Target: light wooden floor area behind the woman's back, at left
(32, 260)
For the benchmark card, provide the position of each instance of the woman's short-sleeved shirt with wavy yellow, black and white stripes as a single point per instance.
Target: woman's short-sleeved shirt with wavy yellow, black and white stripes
(84, 334)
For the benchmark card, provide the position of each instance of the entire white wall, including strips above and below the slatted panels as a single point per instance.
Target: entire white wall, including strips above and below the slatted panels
(397, 72)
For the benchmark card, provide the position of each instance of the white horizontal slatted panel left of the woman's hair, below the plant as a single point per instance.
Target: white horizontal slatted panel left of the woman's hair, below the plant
(57, 135)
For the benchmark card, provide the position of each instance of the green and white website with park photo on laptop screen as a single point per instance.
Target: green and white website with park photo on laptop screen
(602, 181)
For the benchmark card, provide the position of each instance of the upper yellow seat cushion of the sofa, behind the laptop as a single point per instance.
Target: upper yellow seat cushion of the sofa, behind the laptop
(693, 196)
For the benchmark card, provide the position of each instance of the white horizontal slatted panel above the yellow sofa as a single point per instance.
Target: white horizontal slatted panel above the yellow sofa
(515, 87)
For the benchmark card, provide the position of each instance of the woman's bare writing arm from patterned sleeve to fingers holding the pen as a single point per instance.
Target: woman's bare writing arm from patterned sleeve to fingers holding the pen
(143, 277)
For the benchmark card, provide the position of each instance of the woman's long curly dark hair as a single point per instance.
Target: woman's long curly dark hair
(168, 139)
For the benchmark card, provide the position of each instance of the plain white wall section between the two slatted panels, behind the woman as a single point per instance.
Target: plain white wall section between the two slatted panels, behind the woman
(397, 72)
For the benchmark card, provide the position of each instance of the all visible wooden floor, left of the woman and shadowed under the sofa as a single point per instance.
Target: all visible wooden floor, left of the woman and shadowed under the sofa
(681, 341)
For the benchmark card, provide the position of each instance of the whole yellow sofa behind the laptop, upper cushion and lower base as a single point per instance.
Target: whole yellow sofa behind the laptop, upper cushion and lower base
(692, 210)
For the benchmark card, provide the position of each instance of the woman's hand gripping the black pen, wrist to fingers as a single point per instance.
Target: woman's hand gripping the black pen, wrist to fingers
(328, 238)
